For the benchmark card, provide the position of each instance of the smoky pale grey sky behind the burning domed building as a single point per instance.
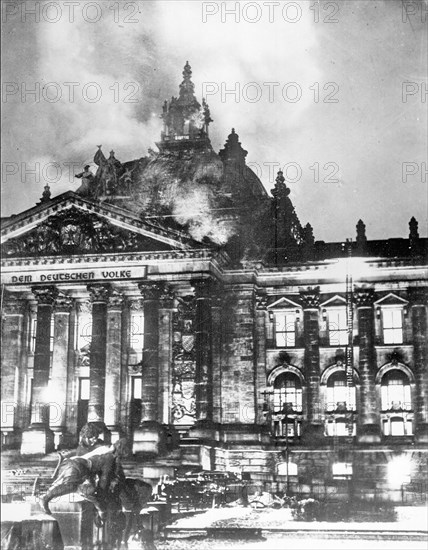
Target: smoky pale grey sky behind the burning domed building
(366, 136)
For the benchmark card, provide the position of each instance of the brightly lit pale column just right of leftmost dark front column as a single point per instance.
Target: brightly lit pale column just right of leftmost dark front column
(60, 354)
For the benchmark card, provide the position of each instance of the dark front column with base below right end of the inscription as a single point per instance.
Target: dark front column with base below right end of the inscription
(150, 436)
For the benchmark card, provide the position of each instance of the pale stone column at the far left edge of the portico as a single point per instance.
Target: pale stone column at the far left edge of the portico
(11, 364)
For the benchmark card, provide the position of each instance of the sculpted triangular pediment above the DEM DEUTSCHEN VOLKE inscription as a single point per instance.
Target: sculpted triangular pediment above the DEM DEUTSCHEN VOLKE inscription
(72, 225)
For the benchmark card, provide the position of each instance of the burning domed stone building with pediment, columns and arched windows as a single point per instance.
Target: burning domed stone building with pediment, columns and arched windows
(235, 353)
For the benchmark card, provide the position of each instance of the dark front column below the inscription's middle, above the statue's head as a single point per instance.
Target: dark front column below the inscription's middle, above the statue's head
(99, 295)
